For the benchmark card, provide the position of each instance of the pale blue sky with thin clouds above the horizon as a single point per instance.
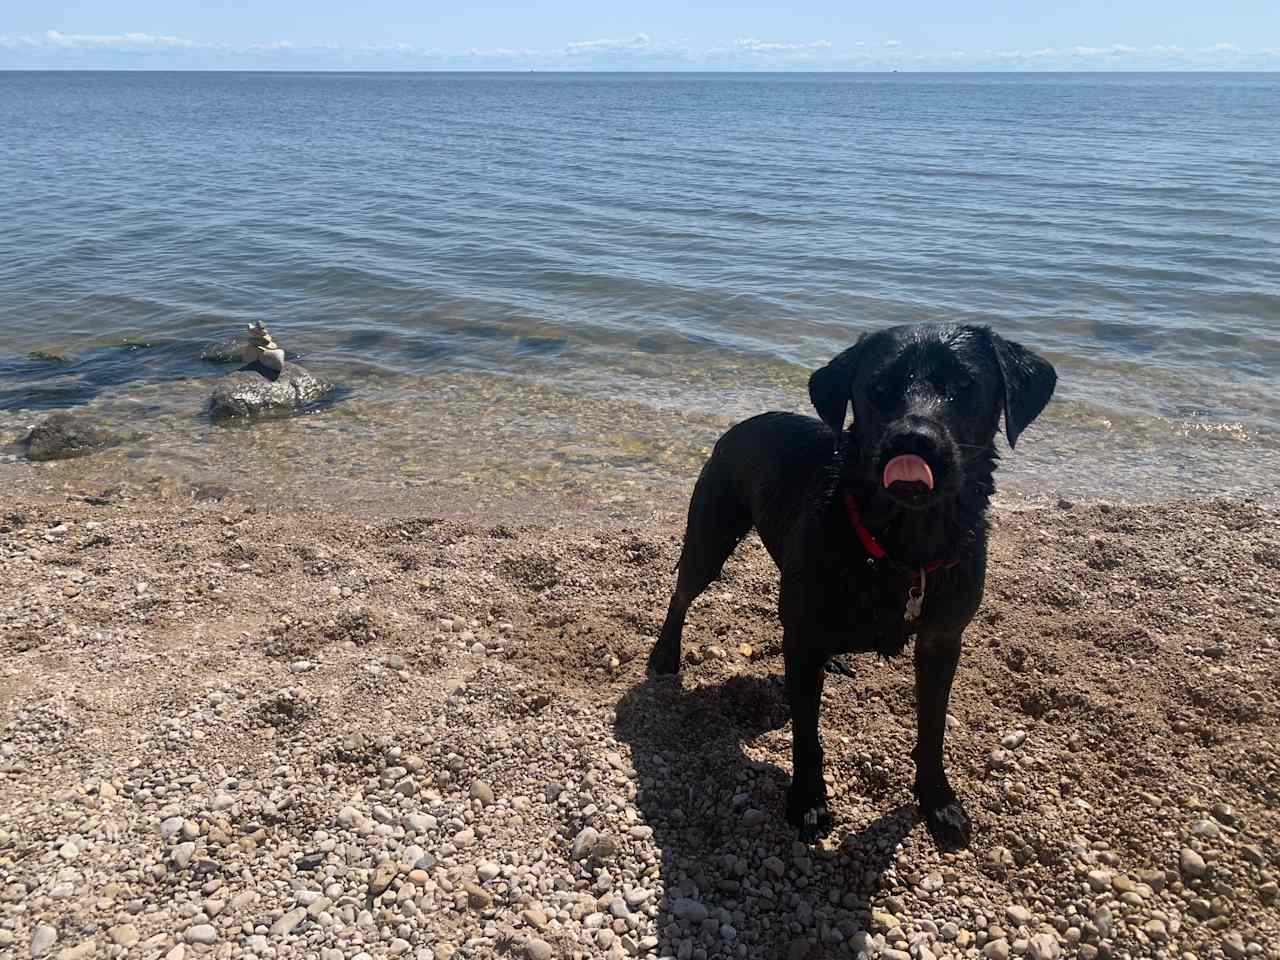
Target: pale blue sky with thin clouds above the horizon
(588, 35)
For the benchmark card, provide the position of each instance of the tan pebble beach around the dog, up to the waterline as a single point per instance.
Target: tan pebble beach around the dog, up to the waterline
(235, 726)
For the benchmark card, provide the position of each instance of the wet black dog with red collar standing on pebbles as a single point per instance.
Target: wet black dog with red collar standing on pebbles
(880, 532)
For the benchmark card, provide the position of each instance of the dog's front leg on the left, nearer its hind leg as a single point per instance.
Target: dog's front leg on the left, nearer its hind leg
(807, 798)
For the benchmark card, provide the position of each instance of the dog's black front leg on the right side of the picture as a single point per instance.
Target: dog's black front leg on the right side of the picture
(936, 659)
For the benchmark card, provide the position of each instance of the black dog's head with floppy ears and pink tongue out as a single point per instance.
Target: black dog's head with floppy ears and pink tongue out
(927, 403)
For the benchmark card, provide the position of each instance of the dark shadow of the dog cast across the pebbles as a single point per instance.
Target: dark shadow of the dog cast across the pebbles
(738, 881)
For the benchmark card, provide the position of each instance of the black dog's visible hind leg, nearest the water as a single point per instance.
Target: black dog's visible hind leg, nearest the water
(717, 524)
